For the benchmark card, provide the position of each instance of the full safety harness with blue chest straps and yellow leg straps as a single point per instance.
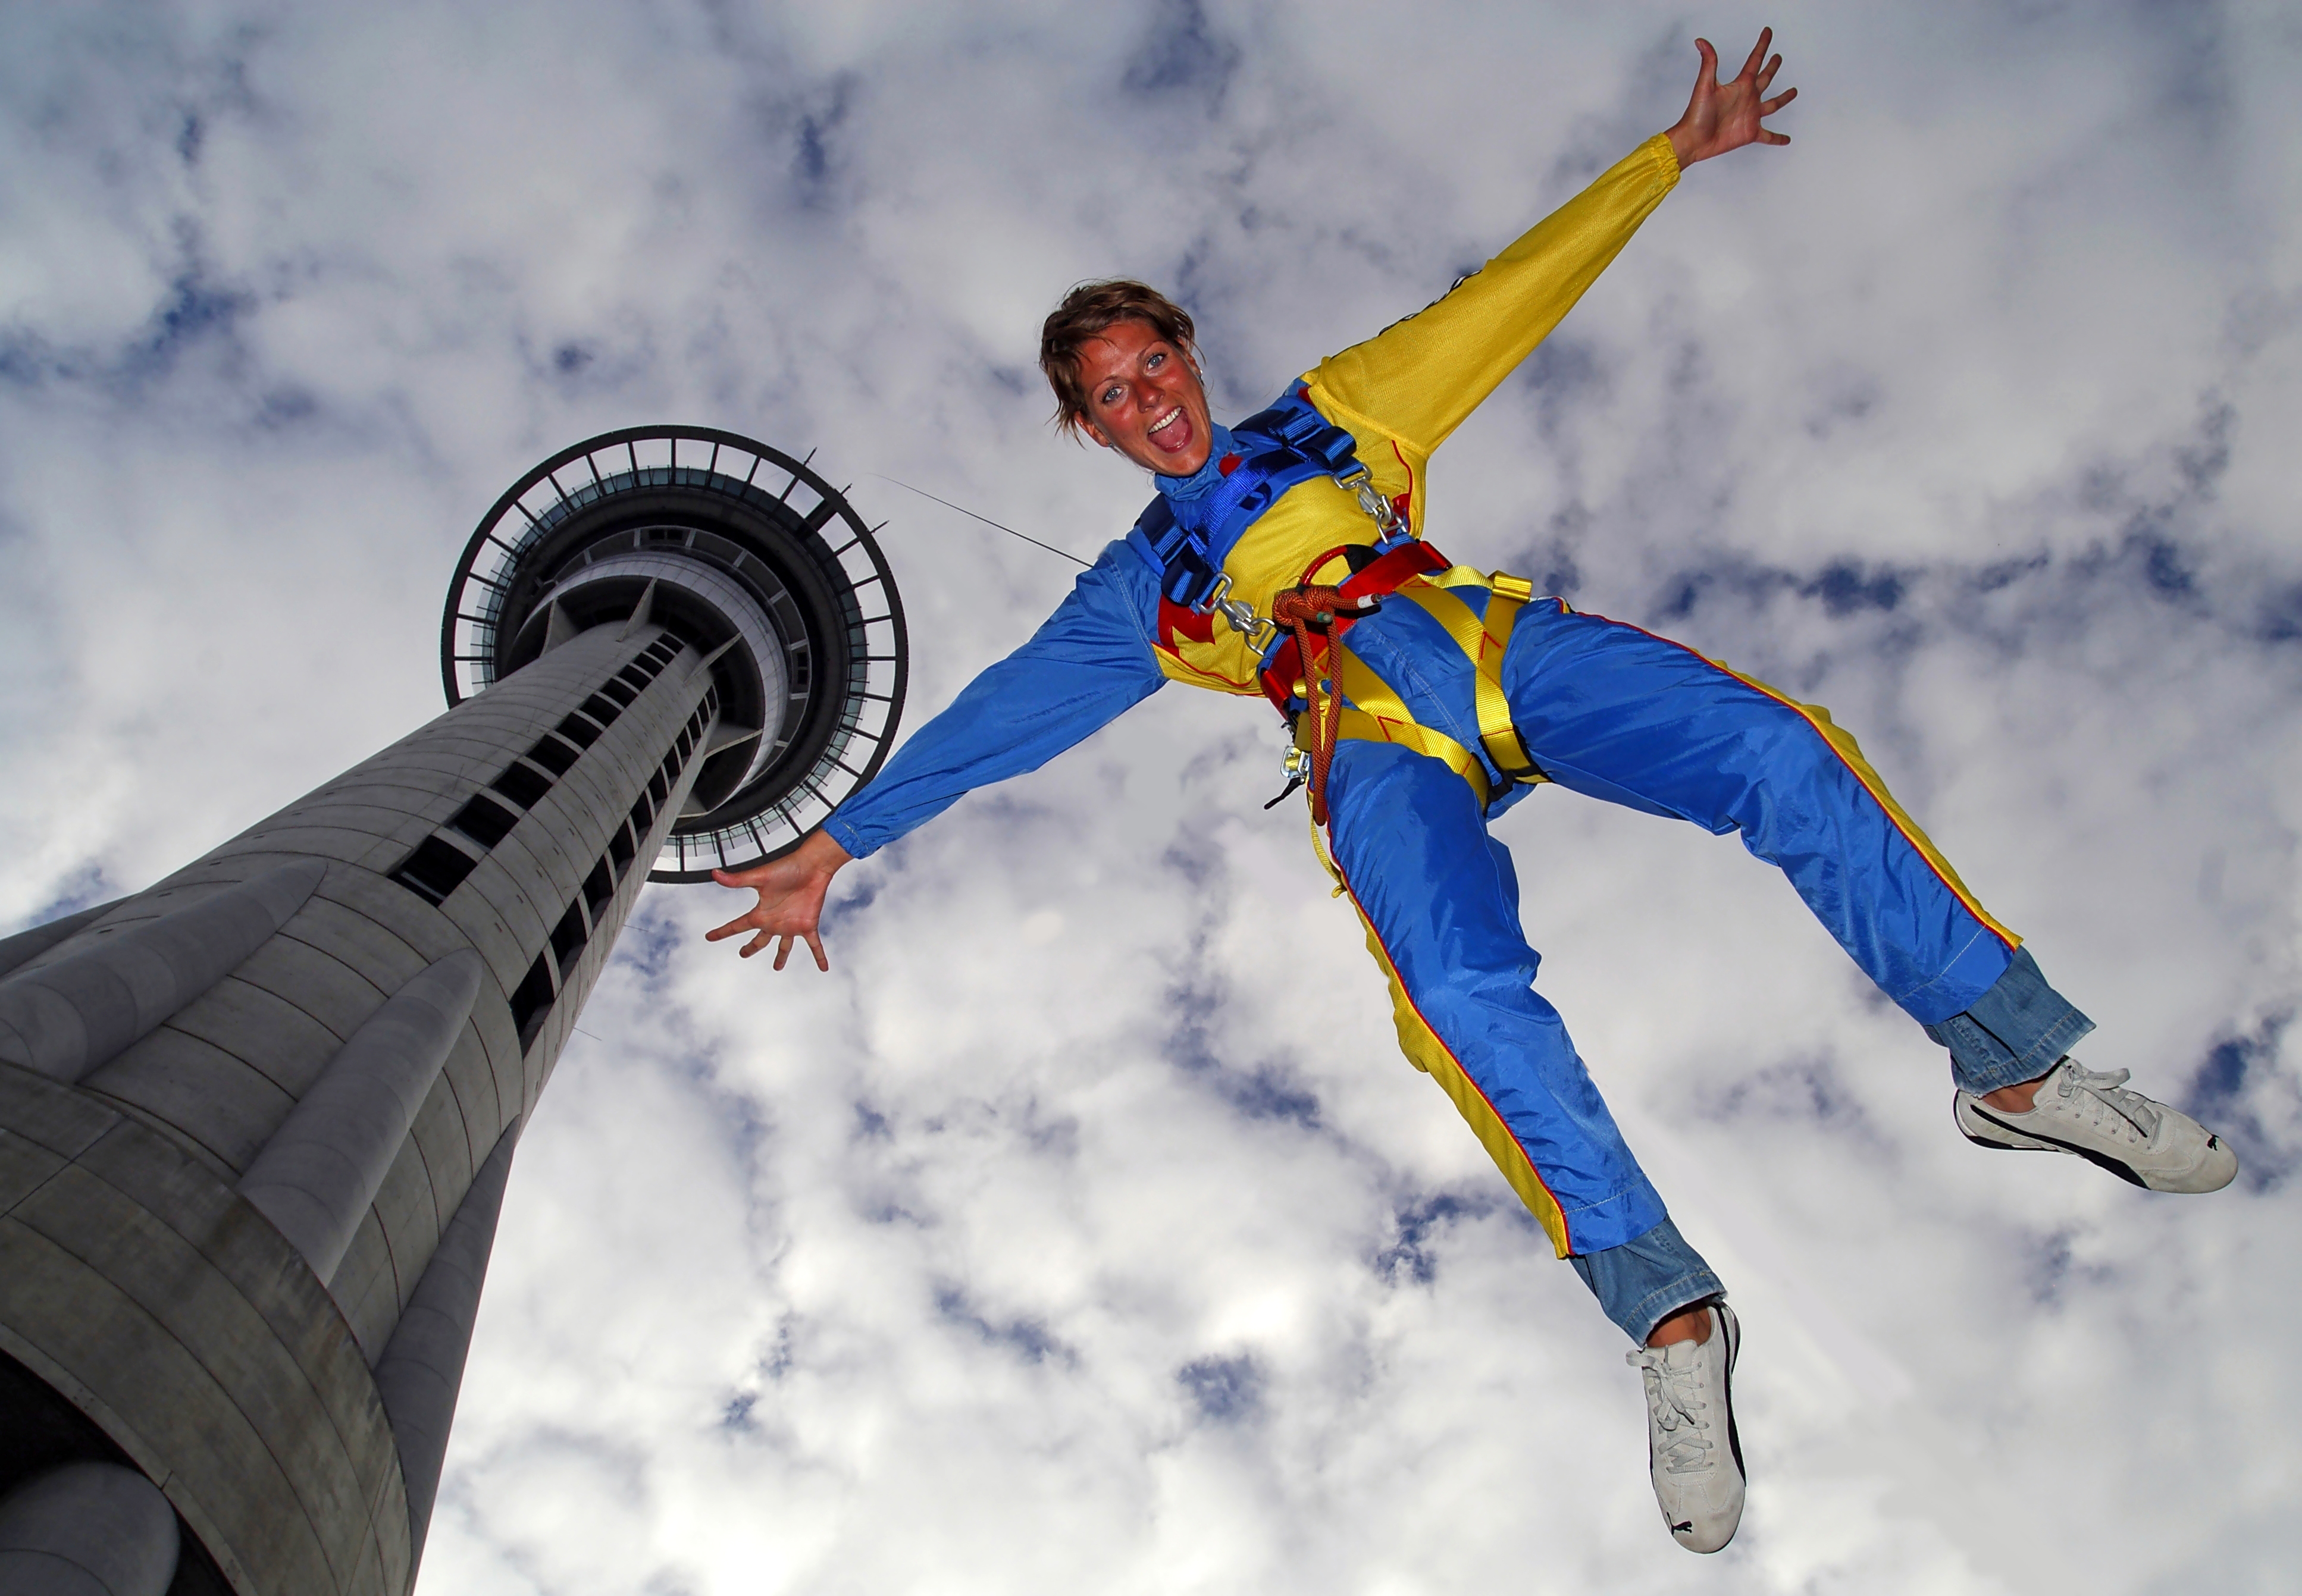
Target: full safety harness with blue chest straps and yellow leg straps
(1302, 669)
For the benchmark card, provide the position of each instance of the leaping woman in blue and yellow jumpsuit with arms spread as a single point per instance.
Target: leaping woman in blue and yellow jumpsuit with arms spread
(1283, 558)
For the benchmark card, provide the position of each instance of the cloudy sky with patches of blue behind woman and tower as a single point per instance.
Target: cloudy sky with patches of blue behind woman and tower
(1083, 1231)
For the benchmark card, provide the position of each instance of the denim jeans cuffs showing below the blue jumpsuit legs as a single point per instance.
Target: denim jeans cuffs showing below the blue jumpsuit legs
(2018, 1031)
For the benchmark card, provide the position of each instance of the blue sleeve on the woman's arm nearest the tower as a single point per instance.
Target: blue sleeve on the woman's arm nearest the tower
(1085, 667)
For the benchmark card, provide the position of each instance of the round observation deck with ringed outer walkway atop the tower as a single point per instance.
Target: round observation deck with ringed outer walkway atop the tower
(745, 554)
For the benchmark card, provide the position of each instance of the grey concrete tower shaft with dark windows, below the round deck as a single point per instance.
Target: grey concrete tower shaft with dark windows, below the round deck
(199, 1074)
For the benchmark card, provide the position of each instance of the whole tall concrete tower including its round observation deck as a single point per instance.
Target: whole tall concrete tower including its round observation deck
(257, 1120)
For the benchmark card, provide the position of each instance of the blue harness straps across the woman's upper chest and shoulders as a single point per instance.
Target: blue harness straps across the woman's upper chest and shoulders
(1286, 446)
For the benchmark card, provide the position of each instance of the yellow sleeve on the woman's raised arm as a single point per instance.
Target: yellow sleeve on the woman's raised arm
(1419, 379)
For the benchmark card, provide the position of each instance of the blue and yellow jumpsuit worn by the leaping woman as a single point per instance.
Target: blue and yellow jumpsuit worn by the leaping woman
(1599, 708)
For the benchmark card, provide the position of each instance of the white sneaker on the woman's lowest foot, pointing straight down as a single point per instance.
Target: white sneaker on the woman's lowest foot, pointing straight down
(1691, 1441)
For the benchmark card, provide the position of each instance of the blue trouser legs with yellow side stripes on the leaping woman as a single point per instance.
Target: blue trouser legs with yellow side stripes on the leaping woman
(1636, 720)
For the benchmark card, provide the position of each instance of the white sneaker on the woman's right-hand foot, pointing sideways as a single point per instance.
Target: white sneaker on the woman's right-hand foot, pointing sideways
(2094, 1116)
